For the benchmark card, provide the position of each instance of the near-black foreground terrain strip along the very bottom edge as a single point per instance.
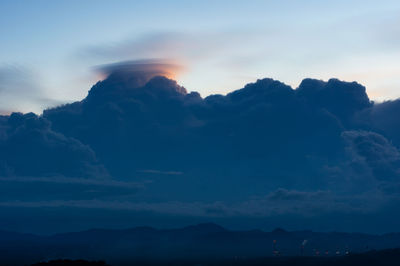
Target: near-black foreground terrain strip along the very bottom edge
(381, 258)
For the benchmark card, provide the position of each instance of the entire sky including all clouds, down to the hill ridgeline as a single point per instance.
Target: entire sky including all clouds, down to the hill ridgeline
(280, 147)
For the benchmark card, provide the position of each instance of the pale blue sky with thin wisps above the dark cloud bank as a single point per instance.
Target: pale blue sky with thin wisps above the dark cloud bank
(50, 48)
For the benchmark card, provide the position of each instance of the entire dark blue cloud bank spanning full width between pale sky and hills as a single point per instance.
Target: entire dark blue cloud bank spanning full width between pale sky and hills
(145, 144)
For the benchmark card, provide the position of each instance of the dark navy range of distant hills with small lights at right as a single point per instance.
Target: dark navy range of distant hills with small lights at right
(203, 241)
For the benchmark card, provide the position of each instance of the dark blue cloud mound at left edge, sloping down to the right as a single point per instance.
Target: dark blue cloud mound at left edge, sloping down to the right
(30, 148)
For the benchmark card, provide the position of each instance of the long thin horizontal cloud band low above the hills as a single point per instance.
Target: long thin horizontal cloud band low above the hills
(279, 202)
